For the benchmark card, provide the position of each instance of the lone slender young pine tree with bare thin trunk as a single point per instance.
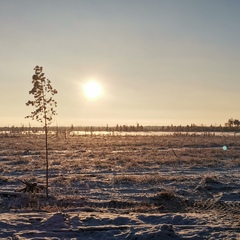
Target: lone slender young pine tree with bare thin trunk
(44, 104)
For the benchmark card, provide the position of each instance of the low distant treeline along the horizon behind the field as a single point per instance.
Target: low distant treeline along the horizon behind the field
(231, 126)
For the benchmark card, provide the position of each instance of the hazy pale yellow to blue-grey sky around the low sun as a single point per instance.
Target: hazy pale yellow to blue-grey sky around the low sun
(159, 62)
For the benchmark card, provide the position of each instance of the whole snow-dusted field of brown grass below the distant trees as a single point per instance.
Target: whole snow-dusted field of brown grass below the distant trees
(179, 186)
